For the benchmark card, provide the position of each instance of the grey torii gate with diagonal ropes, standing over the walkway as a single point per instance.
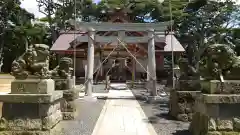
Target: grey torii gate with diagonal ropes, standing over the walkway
(121, 41)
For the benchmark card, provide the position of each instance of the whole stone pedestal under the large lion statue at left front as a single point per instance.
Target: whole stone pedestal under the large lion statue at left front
(27, 112)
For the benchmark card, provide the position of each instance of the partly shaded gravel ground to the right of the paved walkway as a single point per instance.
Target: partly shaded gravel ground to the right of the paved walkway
(157, 114)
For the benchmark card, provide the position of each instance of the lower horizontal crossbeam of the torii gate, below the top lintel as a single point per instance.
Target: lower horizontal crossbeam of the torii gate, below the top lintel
(109, 39)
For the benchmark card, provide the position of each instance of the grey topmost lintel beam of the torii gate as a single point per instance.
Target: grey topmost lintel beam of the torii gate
(107, 26)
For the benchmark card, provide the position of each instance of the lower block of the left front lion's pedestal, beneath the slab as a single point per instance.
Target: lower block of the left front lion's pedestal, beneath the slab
(29, 118)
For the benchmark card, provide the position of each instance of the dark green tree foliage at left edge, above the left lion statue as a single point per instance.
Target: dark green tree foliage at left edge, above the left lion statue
(17, 31)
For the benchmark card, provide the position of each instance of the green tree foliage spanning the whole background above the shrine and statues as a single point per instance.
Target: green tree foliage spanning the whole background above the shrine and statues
(197, 24)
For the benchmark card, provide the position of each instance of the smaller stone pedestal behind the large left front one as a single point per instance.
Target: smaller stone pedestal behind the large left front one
(70, 94)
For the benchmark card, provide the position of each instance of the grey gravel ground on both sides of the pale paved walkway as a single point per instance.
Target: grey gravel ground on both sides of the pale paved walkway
(157, 113)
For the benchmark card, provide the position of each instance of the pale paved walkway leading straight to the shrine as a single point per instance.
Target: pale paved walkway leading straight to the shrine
(122, 115)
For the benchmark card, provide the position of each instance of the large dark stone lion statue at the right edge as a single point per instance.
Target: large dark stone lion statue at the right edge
(220, 62)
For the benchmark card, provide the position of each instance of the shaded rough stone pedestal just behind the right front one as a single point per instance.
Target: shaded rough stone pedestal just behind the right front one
(182, 99)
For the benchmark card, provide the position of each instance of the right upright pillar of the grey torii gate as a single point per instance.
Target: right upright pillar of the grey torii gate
(152, 63)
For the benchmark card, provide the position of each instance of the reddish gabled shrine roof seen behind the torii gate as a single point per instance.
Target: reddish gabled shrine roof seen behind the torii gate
(67, 39)
